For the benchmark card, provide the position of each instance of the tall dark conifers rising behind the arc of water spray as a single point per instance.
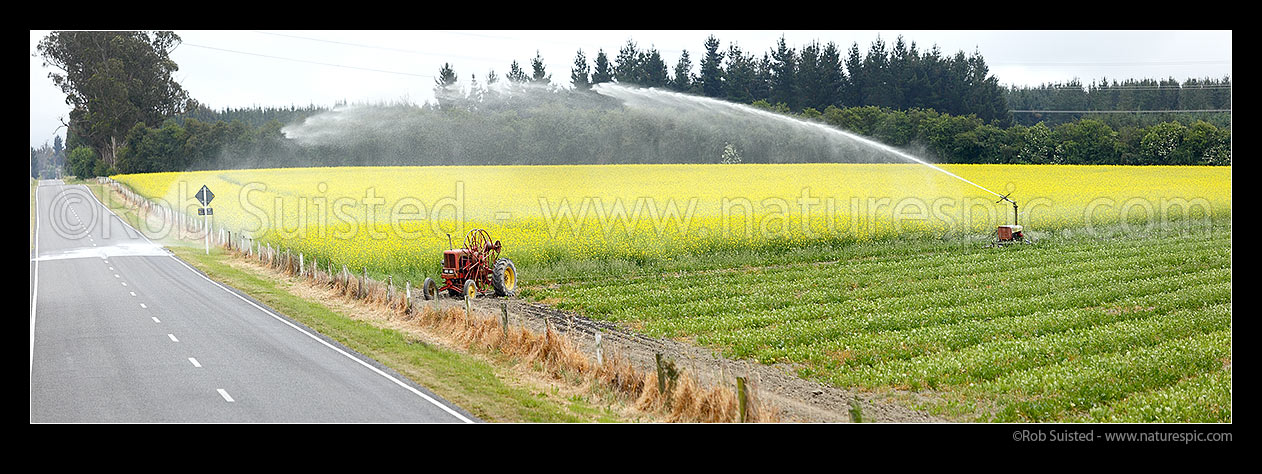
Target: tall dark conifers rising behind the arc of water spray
(817, 76)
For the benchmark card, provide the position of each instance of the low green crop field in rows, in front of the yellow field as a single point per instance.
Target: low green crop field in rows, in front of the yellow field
(1128, 328)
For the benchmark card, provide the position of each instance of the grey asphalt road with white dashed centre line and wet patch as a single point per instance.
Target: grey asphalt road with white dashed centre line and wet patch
(124, 332)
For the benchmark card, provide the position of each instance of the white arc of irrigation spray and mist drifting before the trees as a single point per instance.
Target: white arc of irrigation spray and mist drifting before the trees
(529, 127)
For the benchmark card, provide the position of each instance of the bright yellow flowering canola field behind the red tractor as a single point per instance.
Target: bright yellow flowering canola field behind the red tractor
(397, 219)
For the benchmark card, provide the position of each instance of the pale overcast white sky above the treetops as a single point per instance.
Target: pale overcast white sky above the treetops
(245, 69)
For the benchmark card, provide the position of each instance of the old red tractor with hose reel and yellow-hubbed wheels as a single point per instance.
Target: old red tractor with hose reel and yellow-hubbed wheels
(475, 270)
